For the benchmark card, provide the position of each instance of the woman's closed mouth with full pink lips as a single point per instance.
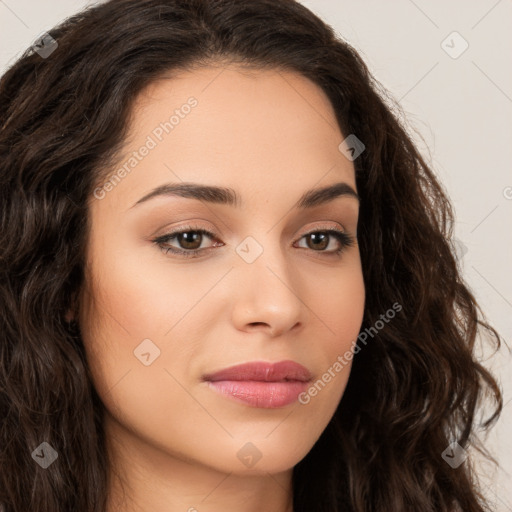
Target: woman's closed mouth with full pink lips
(260, 384)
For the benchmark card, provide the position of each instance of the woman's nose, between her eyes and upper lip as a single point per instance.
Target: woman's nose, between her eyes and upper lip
(268, 295)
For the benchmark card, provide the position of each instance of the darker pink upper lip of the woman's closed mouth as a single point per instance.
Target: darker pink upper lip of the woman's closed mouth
(281, 371)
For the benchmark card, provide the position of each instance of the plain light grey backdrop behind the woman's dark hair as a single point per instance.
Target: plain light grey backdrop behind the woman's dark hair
(461, 111)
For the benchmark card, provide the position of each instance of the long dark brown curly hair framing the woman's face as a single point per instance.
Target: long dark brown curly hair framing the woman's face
(414, 389)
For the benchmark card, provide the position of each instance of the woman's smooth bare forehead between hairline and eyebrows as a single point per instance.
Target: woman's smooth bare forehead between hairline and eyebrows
(226, 125)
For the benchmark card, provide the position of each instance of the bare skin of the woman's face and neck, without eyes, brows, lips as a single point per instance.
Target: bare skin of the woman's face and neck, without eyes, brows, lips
(271, 136)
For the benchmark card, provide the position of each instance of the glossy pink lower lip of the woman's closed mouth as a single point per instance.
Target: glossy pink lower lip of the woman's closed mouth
(268, 395)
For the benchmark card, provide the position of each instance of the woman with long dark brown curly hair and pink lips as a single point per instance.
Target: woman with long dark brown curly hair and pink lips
(210, 221)
